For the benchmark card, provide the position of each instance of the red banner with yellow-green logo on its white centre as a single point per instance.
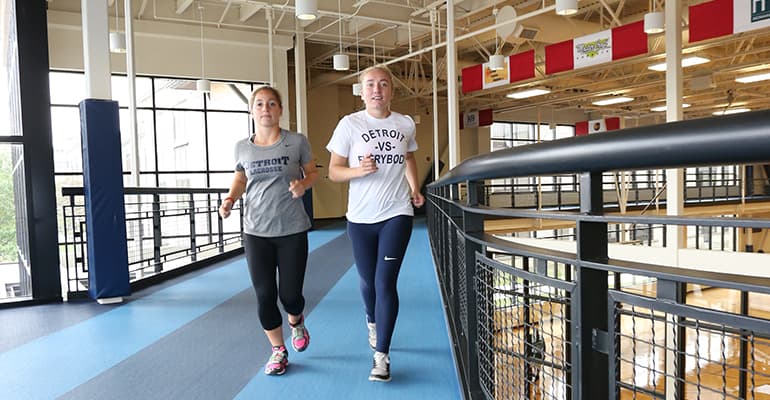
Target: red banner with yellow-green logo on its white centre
(597, 48)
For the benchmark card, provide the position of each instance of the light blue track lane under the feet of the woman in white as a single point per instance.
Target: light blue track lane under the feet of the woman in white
(337, 363)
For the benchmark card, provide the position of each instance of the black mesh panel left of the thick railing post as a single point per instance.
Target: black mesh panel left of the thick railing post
(524, 340)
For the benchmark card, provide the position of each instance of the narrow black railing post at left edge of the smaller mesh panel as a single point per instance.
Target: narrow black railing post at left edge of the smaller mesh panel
(472, 223)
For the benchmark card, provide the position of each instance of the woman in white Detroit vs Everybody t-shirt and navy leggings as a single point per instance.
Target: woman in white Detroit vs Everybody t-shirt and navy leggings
(374, 150)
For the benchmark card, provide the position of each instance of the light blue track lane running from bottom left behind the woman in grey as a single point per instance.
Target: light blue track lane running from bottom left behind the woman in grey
(52, 365)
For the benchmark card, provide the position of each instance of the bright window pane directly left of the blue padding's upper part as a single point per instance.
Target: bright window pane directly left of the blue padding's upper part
(65, 128)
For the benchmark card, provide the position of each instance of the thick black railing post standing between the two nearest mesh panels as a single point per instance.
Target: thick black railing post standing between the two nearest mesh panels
(590, 375)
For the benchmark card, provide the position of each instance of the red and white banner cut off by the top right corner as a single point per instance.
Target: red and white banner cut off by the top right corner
(725, 17)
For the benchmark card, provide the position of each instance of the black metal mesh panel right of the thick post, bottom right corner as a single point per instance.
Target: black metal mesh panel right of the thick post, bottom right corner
(666, 350)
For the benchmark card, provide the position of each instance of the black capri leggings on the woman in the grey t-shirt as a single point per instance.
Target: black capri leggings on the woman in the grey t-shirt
(288, 256)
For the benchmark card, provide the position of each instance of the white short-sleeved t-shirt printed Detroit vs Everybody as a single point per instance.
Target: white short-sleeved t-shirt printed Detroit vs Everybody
(383, 194)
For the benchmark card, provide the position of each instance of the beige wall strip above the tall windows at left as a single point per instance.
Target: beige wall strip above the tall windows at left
(168, 49)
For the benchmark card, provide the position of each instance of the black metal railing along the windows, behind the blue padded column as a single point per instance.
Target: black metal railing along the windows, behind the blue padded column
(169, 231)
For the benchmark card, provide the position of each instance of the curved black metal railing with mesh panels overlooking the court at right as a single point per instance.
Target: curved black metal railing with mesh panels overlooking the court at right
(590, 319)
